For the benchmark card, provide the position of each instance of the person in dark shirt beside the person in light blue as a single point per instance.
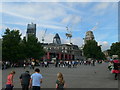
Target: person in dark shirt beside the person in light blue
(24, 80)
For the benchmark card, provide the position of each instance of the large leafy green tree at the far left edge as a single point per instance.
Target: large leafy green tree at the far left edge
(10, 45)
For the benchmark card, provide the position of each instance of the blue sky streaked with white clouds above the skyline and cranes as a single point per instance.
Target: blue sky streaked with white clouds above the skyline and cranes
(80, 17)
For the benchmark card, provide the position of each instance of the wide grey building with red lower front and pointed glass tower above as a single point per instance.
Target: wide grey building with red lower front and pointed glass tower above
(59, 51)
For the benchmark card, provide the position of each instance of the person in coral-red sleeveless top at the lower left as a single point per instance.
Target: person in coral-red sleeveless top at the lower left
(9, 83)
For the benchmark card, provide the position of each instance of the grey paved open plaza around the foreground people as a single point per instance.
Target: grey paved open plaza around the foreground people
(81, 77)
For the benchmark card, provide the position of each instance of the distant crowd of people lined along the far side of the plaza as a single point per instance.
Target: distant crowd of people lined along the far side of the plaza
(32, 64)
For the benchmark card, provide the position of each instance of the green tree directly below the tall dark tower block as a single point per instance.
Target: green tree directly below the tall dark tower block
(33, 47)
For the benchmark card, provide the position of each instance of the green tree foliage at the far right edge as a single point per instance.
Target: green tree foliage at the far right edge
(115, 49)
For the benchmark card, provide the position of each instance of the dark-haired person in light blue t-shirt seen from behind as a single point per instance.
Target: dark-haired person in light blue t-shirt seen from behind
(36, 80)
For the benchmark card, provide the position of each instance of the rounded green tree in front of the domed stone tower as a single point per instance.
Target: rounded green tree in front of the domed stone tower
(92, 50)
